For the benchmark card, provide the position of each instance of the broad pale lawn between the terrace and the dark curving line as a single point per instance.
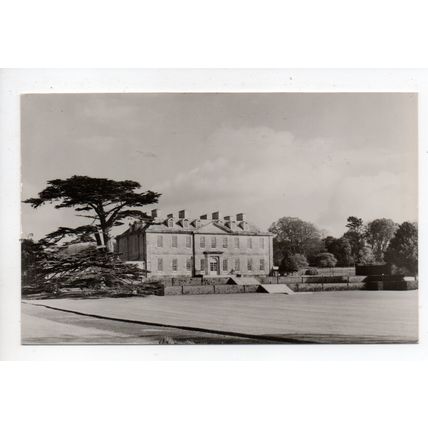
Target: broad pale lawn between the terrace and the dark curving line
(324, 317)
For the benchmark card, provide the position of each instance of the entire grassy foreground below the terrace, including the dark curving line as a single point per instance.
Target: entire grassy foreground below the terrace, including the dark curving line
(330, 317)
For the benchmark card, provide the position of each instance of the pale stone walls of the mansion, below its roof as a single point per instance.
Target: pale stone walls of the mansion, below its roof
(188, 257)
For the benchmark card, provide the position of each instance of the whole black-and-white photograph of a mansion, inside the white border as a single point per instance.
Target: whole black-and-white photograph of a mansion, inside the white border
(187, 218)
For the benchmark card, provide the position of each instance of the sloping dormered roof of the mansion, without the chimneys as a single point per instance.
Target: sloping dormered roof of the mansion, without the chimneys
(195, 226)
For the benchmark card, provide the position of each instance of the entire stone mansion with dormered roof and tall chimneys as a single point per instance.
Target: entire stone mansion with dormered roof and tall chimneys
(181, 246)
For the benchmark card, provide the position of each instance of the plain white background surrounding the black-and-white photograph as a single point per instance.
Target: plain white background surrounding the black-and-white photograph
(265, 385)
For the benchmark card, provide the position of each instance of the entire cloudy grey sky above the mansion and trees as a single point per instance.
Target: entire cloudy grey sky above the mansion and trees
(321, 157)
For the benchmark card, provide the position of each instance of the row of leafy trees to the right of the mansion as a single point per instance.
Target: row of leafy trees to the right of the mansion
(299, 244)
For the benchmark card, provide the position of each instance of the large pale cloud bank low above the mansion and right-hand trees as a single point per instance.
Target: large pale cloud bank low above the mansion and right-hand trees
(272, 173)
